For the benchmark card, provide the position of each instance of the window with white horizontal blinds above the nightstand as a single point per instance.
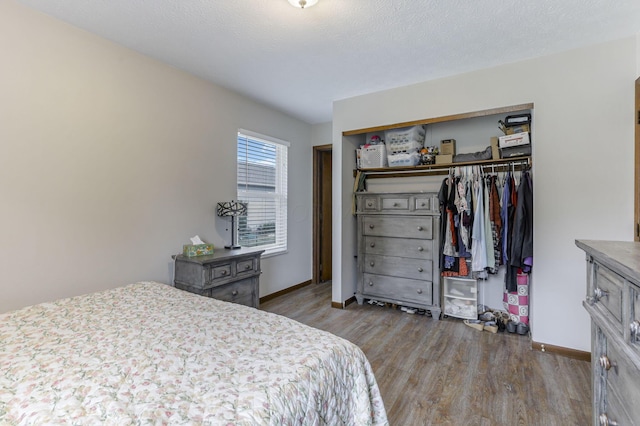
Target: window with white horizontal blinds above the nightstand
(262, 184)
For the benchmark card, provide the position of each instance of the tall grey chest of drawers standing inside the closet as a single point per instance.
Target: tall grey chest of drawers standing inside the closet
(398, 241)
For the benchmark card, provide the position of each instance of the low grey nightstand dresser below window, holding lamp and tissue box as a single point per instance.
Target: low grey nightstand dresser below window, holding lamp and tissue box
(229, 275)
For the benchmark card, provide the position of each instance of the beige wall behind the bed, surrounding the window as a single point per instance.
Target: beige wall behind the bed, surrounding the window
(110, 161)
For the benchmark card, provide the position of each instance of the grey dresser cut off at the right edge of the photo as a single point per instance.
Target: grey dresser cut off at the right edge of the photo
(613, 302)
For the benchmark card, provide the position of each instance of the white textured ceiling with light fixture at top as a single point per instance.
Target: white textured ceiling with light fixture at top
(301, 60)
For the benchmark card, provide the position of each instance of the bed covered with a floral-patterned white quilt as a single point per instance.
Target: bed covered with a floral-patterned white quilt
(148, 353)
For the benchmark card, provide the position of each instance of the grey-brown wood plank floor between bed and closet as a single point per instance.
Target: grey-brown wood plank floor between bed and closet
(446, 373)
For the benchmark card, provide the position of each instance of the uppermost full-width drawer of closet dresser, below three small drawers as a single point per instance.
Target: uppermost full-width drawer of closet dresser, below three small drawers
(420, 227)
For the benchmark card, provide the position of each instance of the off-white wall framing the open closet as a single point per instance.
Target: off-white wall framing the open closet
(583, 164)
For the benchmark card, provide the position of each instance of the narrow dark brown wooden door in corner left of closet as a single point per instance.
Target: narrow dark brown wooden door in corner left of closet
(322, 213)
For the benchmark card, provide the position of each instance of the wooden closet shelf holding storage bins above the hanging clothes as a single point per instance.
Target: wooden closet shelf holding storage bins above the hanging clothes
(518, 163)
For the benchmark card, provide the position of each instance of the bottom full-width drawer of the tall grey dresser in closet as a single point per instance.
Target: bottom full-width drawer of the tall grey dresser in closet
(399, 290)
